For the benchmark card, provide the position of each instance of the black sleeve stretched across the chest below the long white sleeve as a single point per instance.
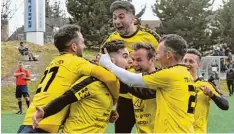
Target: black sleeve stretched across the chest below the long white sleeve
(142, 93)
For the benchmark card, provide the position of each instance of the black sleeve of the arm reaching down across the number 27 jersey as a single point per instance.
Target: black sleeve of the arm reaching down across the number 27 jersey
(59, 103)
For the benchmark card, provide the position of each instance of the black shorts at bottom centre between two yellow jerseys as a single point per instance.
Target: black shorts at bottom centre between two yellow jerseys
(126, 120)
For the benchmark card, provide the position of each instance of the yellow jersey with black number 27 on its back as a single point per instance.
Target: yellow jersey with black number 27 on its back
(60, 74)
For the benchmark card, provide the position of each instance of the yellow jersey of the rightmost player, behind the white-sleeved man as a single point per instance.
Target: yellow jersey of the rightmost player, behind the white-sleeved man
(202, 107)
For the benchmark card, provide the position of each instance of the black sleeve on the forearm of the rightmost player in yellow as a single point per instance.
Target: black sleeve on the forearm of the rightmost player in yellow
(220, 102)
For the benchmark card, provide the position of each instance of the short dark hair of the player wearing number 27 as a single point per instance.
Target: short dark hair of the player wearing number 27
(65, 35)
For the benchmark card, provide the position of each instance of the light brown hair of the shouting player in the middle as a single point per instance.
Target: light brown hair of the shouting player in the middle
(146, 46)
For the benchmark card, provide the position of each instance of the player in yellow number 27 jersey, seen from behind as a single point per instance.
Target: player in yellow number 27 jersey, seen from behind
(60, 74)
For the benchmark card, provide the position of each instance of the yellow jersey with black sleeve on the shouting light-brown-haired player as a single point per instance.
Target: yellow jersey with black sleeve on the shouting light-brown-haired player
(144, 105)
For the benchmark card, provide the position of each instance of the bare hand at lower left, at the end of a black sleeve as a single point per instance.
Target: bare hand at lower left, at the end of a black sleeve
(37, 117)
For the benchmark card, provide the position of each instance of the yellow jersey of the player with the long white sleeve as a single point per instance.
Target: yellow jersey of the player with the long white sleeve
(175, 99)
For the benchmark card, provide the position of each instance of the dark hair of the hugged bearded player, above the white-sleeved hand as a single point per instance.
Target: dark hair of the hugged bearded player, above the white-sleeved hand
(113, 46)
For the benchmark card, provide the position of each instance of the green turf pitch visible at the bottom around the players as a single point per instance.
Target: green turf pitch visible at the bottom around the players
(219, 121)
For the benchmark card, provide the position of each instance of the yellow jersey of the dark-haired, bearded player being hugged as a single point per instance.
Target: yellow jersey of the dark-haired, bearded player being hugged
(91, 113)
